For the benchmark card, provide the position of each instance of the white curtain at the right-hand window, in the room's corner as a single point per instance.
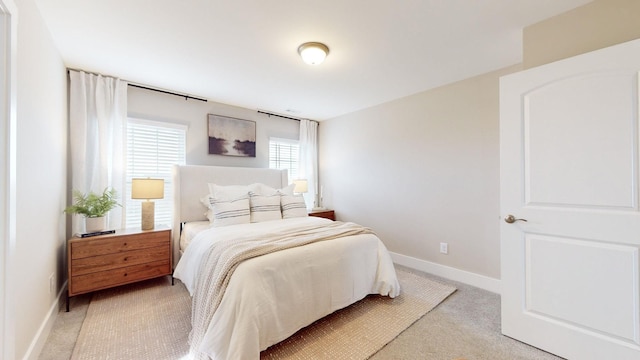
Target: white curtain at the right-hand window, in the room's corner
(308, 166)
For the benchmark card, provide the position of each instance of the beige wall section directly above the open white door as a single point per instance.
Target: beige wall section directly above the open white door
(590, 27)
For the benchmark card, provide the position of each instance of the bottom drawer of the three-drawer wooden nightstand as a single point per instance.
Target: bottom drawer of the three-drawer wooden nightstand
(106, 279)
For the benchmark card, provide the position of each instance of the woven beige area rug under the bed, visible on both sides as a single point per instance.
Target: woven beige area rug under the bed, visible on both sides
(151, 320)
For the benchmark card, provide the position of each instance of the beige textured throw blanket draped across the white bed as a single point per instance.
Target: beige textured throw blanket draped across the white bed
(222, 258)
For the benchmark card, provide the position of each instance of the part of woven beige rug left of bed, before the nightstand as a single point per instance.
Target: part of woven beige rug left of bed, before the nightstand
(145, 320)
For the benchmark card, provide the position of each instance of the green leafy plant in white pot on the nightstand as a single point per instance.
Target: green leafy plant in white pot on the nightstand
(94, 207)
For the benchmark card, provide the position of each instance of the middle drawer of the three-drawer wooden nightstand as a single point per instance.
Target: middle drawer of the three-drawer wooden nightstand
(122, 259)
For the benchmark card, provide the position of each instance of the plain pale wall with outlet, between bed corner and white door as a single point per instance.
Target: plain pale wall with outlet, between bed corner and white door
(422, 170)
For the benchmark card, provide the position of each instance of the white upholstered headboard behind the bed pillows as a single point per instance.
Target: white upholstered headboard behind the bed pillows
(190, 185)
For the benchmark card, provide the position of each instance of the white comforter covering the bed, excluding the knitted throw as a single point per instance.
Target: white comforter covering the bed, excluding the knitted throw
(271, 297)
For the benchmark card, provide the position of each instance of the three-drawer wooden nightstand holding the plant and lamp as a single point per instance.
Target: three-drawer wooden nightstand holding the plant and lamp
(127, 256)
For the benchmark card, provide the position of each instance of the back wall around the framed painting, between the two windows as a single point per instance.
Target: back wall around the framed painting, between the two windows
(152, 105)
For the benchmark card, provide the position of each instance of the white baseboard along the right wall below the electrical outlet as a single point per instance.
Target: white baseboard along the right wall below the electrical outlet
(466, 277)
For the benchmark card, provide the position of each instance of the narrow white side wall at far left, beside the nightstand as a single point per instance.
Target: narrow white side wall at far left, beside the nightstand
(41, 179)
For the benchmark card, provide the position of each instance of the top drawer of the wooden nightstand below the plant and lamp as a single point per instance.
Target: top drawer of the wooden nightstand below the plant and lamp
(115, 244)
